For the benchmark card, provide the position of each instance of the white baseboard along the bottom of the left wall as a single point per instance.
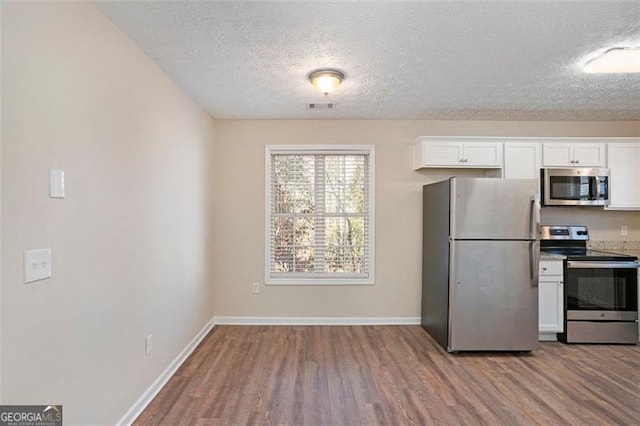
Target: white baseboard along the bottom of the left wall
(138, 407)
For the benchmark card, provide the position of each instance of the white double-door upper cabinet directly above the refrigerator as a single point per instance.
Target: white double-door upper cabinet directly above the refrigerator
(455, 152)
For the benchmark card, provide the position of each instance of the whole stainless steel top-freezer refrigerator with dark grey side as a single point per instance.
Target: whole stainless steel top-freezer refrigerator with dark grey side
(480, 264)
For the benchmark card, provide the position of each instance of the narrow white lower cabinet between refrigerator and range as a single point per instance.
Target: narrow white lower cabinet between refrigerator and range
(550, 299)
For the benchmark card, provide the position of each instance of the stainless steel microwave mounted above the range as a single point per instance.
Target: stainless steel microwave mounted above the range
(575, 187)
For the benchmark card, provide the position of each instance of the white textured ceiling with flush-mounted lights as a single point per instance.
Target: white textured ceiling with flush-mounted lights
(459, 60)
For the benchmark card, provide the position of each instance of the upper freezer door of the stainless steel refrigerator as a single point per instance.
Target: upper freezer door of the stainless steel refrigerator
(491, 209)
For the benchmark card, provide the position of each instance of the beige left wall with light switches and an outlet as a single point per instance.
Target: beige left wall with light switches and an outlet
(131, 242)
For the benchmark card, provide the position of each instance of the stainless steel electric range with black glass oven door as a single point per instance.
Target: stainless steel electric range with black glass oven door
(600, 288)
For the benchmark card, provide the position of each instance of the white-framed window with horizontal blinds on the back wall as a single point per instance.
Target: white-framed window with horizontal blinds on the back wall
(319, 214)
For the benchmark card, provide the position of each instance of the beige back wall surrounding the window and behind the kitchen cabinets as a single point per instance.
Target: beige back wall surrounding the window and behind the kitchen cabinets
(239, 228)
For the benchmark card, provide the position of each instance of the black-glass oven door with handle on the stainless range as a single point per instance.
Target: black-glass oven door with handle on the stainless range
(601, 290)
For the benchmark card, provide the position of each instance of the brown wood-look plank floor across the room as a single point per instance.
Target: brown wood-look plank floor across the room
(392, 375)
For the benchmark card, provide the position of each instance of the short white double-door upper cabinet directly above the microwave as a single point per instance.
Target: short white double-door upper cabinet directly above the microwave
(573, 154)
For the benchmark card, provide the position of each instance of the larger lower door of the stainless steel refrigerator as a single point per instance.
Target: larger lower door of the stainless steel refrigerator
(493, 303)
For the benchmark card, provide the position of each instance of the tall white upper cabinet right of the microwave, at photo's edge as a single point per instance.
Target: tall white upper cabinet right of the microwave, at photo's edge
(624, 164)
